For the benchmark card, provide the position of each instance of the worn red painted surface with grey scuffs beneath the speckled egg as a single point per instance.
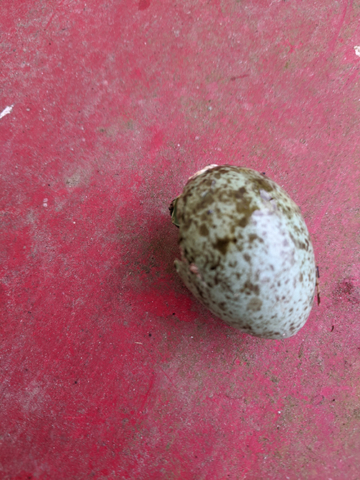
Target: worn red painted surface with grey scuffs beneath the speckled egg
(109, 368)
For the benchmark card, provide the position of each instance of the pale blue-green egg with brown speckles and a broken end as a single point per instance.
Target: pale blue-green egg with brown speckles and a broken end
(245, 250)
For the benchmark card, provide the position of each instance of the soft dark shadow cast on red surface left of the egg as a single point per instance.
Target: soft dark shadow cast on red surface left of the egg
(145, 278)
